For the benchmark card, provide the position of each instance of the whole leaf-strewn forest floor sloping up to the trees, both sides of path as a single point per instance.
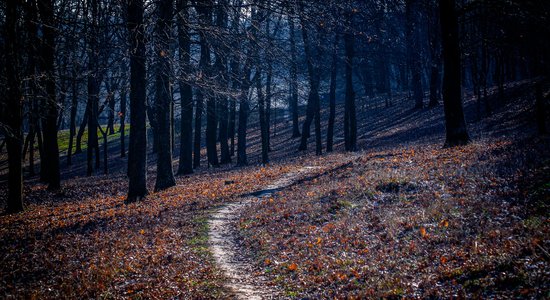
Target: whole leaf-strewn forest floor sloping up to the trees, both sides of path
(400, 217)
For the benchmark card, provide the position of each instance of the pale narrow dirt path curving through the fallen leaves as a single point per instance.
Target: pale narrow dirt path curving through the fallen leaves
(225, 247)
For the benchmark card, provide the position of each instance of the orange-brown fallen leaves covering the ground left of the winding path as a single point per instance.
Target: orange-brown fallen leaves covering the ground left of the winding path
(84, 243)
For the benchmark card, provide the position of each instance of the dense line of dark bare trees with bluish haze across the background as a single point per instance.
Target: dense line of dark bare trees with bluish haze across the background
(201, 70)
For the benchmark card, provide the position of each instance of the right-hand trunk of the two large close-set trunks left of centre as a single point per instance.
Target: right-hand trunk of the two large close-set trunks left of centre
(165, 175)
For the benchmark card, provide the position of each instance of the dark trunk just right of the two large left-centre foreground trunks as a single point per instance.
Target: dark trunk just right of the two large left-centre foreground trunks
(186, 92)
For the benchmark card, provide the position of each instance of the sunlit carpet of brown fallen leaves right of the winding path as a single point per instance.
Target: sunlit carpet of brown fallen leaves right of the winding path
(403, 226)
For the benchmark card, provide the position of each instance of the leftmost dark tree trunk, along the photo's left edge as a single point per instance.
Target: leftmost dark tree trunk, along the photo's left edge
(13, 115)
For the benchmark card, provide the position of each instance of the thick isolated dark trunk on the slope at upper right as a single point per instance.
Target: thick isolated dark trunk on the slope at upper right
(455, 124)
